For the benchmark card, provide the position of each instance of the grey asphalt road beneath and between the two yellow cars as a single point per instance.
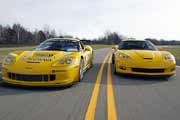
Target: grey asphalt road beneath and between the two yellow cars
(134, 98)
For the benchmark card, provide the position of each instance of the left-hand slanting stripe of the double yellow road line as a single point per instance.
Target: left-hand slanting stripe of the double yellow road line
(90, 114)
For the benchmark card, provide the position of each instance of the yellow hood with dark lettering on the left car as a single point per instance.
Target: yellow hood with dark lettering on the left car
(37, 61)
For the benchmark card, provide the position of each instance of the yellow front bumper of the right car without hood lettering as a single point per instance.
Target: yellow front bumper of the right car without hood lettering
(145, 69)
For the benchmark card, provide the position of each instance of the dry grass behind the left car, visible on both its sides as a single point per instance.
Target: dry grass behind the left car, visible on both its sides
(4, 50)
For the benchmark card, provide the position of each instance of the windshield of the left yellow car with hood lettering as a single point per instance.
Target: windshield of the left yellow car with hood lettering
(59, 45)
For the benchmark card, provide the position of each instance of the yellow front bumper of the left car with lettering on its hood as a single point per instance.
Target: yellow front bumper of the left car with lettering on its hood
(63, 77)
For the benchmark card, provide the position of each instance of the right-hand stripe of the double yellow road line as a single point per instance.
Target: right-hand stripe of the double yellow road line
(111, 108)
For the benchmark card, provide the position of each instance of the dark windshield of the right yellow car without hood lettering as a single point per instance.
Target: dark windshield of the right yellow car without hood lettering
(136, 45)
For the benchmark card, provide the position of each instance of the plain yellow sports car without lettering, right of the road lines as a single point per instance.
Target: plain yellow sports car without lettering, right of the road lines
(142, 58)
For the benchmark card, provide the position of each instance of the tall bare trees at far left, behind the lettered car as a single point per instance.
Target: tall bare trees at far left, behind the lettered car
(17, 34)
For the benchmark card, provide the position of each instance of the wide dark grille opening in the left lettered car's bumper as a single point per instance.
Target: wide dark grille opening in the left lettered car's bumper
(31, 78)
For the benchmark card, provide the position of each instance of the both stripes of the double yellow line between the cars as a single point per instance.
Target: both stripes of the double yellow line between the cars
(111, 109)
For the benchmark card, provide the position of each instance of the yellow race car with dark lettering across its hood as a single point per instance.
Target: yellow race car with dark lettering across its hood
(55, 62)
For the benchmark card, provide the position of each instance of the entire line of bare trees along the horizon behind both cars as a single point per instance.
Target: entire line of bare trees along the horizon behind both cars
(17, 34)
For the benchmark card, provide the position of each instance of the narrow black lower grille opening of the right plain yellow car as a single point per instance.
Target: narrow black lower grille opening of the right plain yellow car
(144, 70)
